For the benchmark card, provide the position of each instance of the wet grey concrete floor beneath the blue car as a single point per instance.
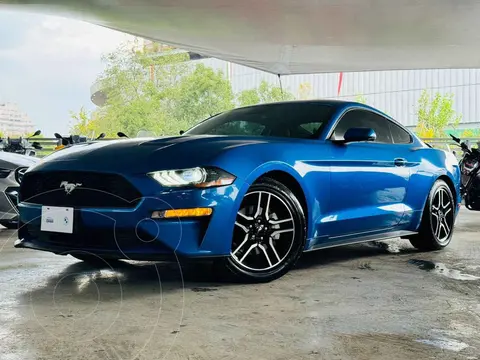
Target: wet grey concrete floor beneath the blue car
(372, 301)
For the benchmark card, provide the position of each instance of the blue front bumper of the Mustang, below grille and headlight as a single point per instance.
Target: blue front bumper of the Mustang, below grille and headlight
(132, 234)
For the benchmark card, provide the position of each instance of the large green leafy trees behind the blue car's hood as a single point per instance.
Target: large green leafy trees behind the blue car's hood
(162, 93)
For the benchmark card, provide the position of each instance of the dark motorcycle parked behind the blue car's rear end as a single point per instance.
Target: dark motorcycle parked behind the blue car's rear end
(469, 168)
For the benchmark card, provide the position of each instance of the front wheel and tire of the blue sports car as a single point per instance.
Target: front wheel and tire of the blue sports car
(264, 248)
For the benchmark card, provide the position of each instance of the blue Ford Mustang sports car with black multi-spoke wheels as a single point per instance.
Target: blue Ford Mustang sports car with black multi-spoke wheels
(250, 189)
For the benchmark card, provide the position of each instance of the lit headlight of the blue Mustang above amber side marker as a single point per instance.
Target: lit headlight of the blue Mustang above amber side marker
(201, 177)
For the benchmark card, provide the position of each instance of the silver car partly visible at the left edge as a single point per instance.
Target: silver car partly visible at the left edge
(9, 186)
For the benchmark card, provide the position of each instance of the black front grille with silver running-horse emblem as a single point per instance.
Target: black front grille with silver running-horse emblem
(98, 190)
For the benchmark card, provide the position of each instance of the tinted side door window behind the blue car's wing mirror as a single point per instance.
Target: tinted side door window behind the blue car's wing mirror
(364, 119)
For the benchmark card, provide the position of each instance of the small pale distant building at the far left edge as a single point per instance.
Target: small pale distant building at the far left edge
(13, 121)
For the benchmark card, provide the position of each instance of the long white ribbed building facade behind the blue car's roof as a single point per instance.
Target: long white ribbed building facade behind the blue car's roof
(393, 92)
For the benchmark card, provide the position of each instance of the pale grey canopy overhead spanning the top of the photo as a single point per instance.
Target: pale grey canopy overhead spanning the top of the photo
(297, 36)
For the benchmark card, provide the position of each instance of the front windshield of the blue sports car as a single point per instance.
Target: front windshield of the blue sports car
(303, 120)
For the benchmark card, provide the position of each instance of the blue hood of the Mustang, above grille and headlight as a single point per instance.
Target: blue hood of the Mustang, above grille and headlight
(144, 155)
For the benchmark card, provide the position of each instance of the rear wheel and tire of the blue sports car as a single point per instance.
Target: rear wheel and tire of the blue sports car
(436, 227)
